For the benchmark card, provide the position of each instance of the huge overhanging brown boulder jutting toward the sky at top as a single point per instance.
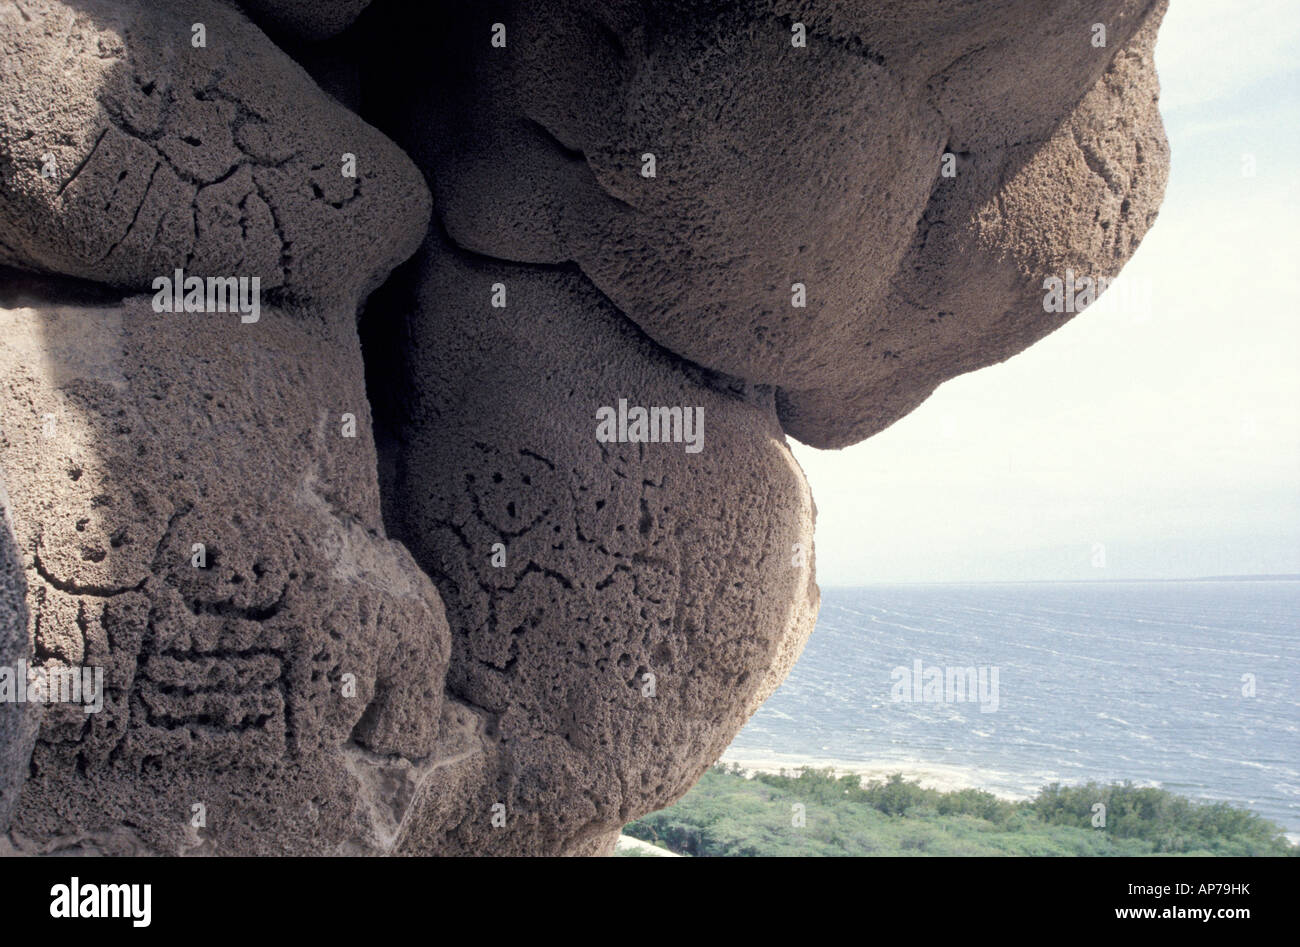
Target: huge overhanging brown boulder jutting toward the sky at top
(818, 166)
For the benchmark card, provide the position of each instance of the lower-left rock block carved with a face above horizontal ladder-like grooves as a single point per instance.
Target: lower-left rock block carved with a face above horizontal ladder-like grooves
(244, 676)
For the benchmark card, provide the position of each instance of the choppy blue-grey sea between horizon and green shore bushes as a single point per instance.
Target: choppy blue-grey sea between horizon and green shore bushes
(1097, 681)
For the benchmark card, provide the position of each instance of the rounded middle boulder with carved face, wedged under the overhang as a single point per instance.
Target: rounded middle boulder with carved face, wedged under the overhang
(619, 609)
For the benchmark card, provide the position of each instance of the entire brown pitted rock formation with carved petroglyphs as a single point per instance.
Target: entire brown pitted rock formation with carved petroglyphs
(471, 626)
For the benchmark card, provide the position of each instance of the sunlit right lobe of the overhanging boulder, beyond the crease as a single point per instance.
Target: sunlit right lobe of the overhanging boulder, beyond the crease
(970, 289)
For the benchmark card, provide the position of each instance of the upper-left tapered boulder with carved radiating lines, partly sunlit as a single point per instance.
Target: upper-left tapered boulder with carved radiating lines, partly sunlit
(127, 152)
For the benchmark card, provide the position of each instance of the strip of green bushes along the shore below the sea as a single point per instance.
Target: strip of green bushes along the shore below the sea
(730, 815)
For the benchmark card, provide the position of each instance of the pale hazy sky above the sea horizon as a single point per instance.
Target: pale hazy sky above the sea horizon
(1172, 438)
